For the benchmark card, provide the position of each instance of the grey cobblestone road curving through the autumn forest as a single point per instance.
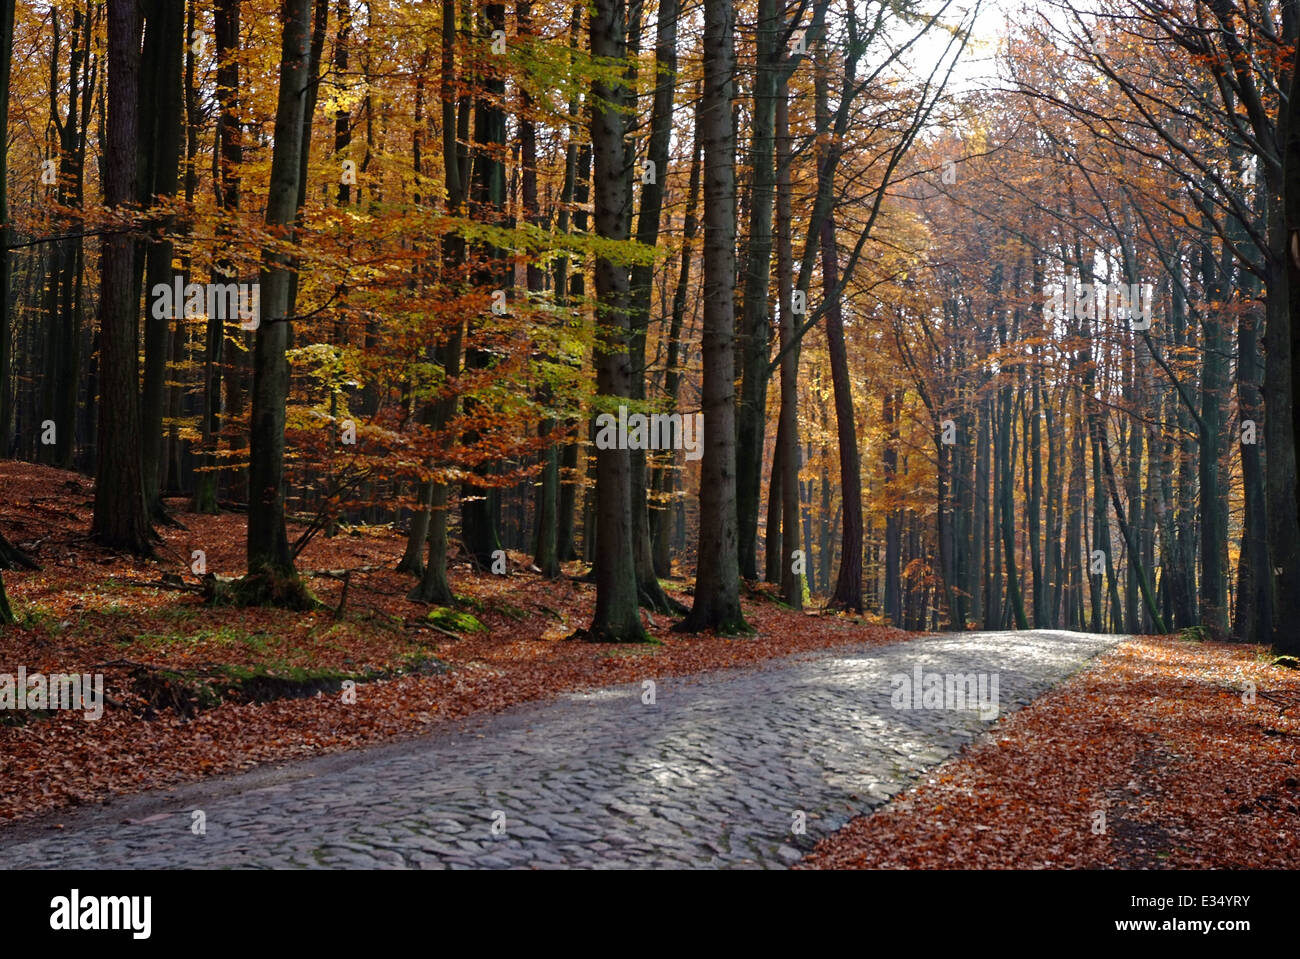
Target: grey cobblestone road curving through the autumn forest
(718, 773)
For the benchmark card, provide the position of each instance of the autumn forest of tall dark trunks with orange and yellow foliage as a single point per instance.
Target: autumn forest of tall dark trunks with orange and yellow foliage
(756, 297)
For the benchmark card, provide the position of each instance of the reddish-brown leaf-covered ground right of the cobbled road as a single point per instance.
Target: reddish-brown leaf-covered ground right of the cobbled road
(1158, 757)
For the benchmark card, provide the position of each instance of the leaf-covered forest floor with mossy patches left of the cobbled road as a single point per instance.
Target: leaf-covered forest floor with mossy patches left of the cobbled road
(197, 691)
